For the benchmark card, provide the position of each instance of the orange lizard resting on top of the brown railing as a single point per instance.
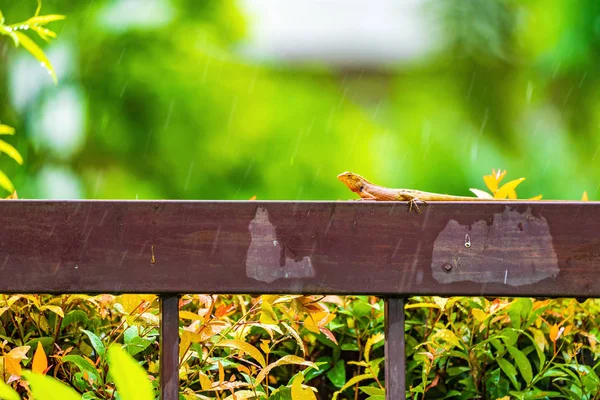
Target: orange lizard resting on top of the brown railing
(369, 191)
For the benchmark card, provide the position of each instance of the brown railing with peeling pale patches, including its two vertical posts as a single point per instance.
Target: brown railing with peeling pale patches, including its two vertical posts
(495, 248)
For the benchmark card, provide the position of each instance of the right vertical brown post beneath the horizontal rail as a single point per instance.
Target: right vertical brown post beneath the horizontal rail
(395, 362)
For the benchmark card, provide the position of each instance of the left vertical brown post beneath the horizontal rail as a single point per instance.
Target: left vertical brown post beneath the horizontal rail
(169, 347)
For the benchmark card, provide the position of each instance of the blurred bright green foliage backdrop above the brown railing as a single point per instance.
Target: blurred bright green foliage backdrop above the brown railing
(175, 111)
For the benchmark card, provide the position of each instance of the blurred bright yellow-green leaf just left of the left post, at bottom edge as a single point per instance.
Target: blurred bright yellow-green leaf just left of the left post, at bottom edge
(130, 378)
